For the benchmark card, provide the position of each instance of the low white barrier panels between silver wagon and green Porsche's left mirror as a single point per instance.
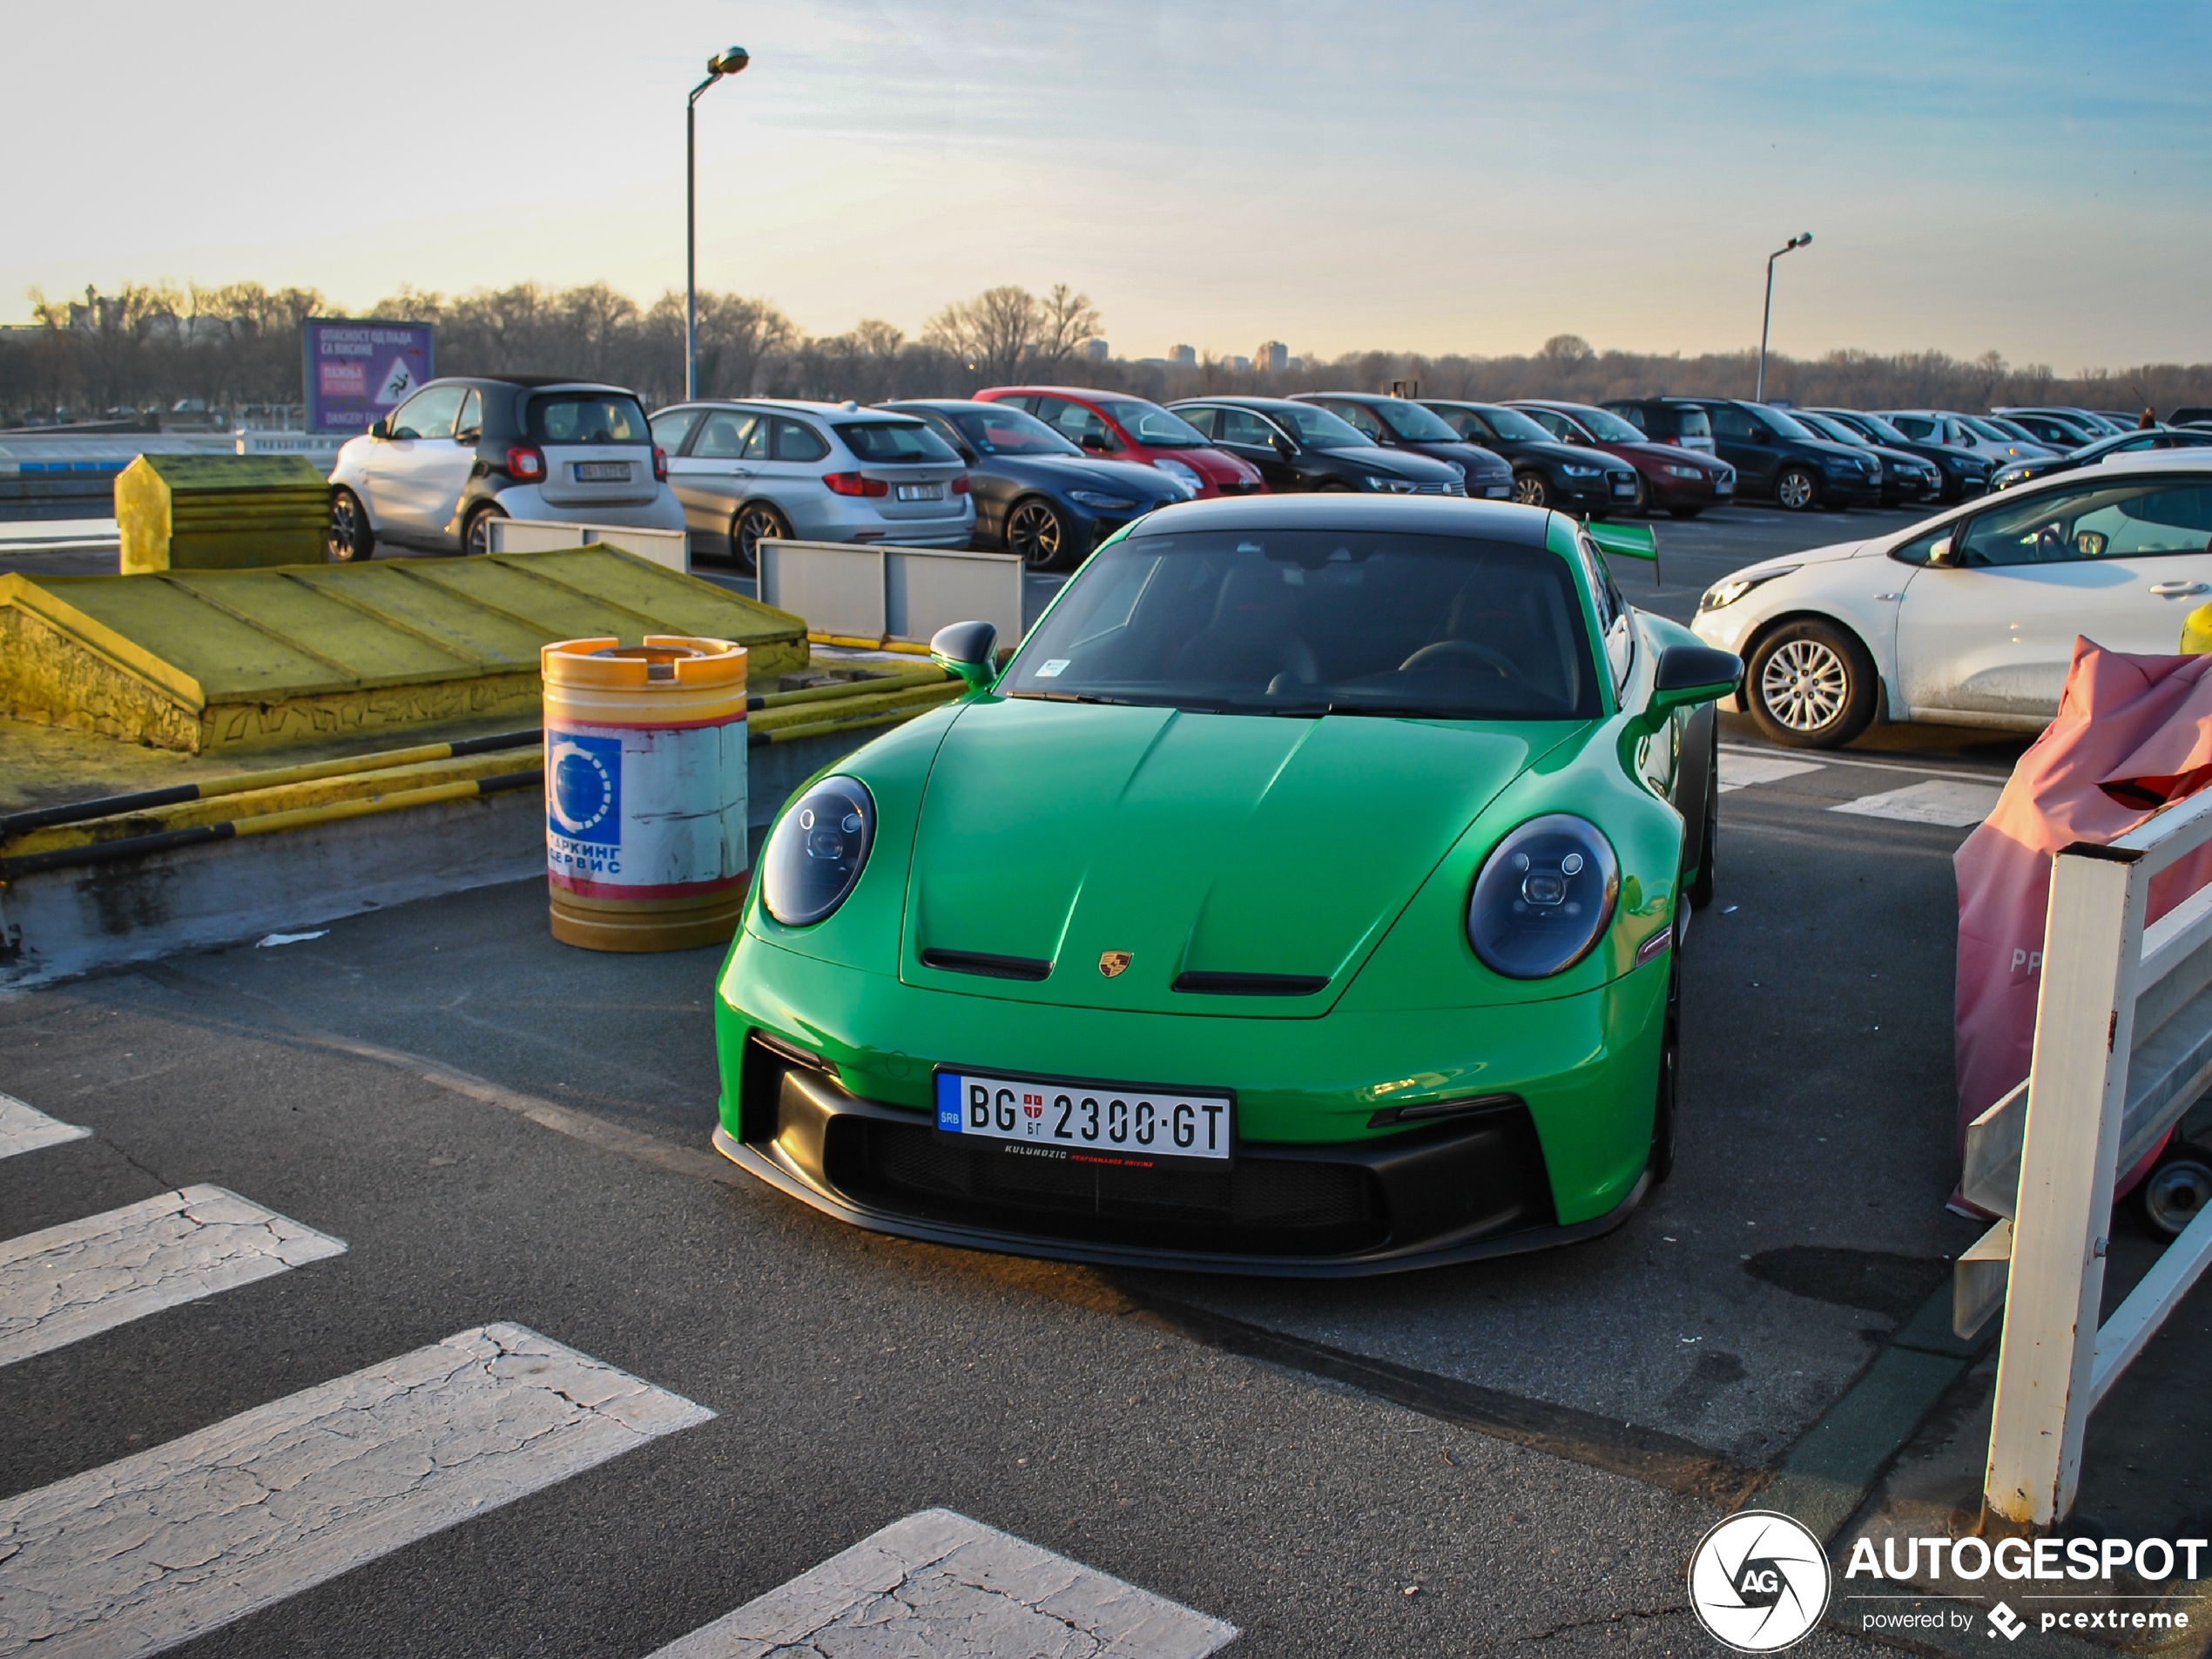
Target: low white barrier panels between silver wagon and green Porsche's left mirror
(893, 592)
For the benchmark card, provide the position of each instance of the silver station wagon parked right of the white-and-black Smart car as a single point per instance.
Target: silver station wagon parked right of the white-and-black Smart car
(817, 472)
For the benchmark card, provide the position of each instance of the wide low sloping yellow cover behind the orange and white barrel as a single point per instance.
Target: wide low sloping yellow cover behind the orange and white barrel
(198, 660)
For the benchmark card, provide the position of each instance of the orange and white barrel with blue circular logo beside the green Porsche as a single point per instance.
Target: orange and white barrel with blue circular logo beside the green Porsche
(645, 793)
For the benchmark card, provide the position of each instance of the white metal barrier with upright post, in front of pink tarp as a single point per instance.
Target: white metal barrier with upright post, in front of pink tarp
(2122, 1052)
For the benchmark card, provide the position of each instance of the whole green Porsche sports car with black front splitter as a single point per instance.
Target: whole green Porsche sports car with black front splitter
(1304, 897)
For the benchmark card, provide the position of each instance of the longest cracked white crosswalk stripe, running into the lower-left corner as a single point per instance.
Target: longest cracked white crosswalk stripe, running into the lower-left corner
(171, 1543)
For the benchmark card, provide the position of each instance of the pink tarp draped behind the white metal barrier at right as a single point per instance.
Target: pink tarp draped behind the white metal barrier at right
(2133, 733)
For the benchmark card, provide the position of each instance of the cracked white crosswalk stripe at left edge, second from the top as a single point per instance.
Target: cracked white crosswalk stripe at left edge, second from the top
(87, 1277)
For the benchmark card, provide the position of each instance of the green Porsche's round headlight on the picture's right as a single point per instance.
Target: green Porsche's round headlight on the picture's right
(1545, 897)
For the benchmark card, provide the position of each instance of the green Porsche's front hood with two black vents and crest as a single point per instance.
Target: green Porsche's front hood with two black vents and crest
(1193, 844)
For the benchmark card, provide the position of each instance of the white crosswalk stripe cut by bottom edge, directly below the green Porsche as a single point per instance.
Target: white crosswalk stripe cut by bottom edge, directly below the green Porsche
(941, 1583)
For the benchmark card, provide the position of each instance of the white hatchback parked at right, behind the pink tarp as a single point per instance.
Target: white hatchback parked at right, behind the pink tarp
(1970, 618)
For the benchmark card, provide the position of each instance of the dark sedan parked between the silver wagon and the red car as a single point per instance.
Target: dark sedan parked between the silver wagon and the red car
(1036, 494)
